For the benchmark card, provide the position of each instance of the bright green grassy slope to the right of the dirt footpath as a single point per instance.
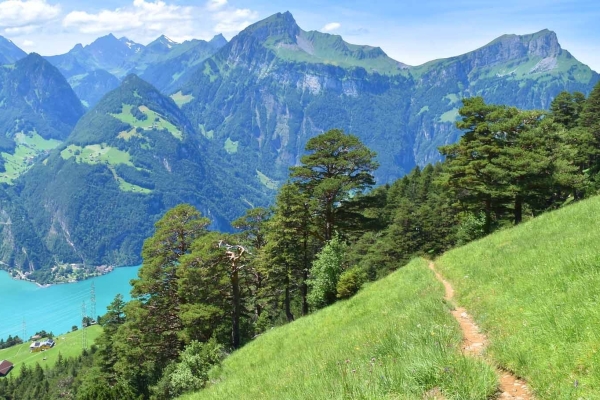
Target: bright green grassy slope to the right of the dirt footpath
(535, 290)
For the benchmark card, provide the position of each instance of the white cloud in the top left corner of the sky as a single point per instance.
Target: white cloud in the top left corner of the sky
(23, 16)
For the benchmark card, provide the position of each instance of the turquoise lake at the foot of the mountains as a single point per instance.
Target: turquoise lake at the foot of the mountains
(56, 308)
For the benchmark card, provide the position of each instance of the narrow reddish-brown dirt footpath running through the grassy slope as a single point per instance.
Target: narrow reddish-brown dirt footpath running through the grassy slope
(475, 342)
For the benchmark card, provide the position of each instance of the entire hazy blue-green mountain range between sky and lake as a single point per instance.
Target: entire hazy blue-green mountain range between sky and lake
(100, 141)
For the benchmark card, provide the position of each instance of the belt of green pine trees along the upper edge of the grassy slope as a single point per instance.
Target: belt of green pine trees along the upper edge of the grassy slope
(201, 294)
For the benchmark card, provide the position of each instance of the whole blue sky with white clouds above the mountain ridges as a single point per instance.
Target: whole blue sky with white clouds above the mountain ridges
(409, 31)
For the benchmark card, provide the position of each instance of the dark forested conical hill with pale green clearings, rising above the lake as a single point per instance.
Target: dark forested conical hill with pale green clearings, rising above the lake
(128, 160)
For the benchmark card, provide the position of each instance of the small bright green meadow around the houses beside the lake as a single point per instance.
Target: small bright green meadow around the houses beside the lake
(68, 345)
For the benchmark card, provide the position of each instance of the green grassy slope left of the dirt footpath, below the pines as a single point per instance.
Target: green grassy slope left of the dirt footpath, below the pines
(394, 340)
